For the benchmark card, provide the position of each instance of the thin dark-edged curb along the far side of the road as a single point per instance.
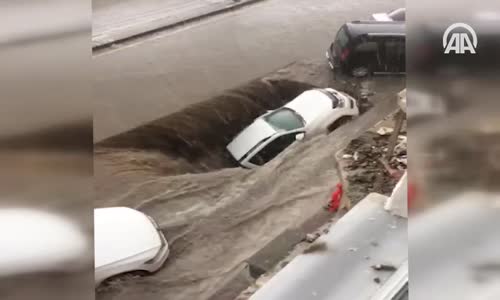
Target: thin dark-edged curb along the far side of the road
(99, 46)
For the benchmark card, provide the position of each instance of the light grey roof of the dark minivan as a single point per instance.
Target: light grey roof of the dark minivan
(357, 28)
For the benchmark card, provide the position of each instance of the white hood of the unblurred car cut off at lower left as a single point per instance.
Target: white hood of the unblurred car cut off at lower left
(120, 233)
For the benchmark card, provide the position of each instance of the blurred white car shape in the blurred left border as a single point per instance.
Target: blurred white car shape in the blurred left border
(36, 240)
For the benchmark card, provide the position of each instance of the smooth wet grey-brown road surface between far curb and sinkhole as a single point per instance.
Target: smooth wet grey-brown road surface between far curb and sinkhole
(143, 81)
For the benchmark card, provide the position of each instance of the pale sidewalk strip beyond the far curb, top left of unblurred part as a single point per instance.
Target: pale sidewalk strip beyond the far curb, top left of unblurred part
(119, 20)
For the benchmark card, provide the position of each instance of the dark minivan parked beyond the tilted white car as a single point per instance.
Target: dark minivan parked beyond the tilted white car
(368, 47)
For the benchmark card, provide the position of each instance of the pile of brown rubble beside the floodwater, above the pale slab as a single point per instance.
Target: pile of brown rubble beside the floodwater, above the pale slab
(366, 168)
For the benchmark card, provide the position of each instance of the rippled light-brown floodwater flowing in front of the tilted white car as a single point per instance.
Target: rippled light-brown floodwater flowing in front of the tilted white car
(216, 221)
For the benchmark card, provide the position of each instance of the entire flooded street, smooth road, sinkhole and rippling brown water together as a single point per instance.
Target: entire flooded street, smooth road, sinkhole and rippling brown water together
(167, 106)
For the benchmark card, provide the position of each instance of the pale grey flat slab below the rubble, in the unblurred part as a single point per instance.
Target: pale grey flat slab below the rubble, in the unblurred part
(342, 268)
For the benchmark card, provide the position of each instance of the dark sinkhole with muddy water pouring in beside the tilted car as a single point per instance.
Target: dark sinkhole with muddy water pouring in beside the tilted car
(194, 139)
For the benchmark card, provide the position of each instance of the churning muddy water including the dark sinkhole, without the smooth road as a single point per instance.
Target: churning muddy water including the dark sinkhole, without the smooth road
(216, 217)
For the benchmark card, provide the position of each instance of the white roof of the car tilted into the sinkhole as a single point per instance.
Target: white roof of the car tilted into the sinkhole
(249, 137)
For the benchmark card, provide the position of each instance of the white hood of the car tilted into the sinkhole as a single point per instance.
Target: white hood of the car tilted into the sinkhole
(311, 105)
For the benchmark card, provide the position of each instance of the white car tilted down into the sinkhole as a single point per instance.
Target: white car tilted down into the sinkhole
(311, 113)
